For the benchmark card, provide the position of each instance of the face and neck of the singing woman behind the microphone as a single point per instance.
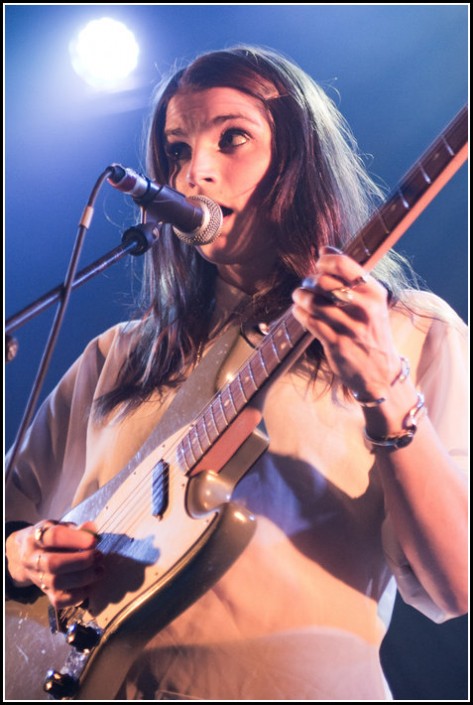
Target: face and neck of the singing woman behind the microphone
(218, 143)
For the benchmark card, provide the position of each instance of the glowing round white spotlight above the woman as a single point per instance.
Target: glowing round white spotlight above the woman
(104, 53)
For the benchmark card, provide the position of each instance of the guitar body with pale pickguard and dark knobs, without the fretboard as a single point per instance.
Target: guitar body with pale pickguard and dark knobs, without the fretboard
(184, 533)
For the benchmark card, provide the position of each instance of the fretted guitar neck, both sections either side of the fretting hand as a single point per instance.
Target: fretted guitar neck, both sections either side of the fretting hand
(287, 339)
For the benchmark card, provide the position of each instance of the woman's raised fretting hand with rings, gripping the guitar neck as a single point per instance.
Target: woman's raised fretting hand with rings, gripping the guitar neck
(347, 311)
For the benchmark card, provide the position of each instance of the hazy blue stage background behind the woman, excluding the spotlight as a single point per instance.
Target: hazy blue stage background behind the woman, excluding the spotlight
(399, 75)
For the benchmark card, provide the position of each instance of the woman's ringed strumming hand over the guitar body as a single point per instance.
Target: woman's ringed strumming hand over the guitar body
(61, 559)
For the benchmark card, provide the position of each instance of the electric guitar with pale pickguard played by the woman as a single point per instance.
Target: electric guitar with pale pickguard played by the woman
(168, 528)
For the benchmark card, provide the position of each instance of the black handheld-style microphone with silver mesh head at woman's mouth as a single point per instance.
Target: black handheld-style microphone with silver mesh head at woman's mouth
(196, 220)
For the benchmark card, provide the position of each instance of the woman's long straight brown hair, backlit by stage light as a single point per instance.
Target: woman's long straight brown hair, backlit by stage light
(319, 194)
